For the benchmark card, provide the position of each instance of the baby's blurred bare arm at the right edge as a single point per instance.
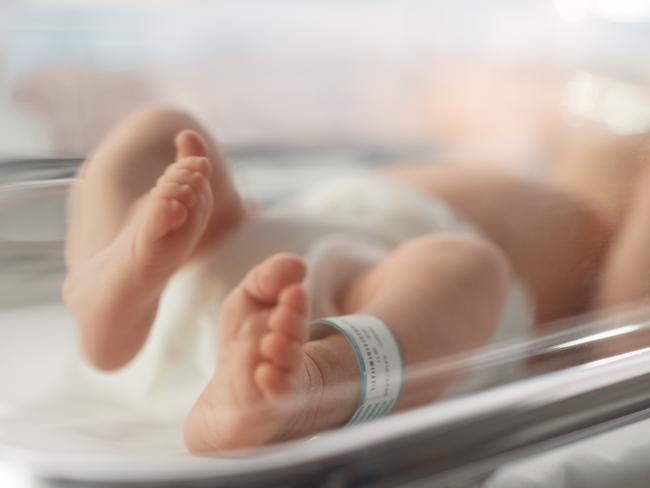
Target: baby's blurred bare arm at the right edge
(614, 174)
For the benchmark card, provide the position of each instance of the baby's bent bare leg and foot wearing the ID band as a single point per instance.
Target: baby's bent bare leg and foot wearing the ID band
(440, 296)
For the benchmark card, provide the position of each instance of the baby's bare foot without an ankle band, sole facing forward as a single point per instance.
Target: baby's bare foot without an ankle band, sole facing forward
(115, 294)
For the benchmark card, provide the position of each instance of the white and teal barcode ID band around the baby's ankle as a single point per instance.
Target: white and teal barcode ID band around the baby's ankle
(380, 363)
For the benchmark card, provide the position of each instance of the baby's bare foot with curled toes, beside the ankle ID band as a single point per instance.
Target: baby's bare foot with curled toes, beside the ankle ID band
(251, 400)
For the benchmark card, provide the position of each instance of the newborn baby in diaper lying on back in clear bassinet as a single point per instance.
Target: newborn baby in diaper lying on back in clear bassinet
(157, 195)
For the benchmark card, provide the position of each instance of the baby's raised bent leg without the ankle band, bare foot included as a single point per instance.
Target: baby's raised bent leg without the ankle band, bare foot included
(135, 217)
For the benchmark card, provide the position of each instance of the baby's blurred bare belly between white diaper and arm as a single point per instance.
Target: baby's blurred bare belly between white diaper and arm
(556, 241)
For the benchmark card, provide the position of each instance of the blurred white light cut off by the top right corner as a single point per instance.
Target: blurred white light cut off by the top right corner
(614, 10)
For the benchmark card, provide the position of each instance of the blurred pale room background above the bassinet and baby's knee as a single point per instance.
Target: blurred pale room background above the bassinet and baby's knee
(509, 81)
